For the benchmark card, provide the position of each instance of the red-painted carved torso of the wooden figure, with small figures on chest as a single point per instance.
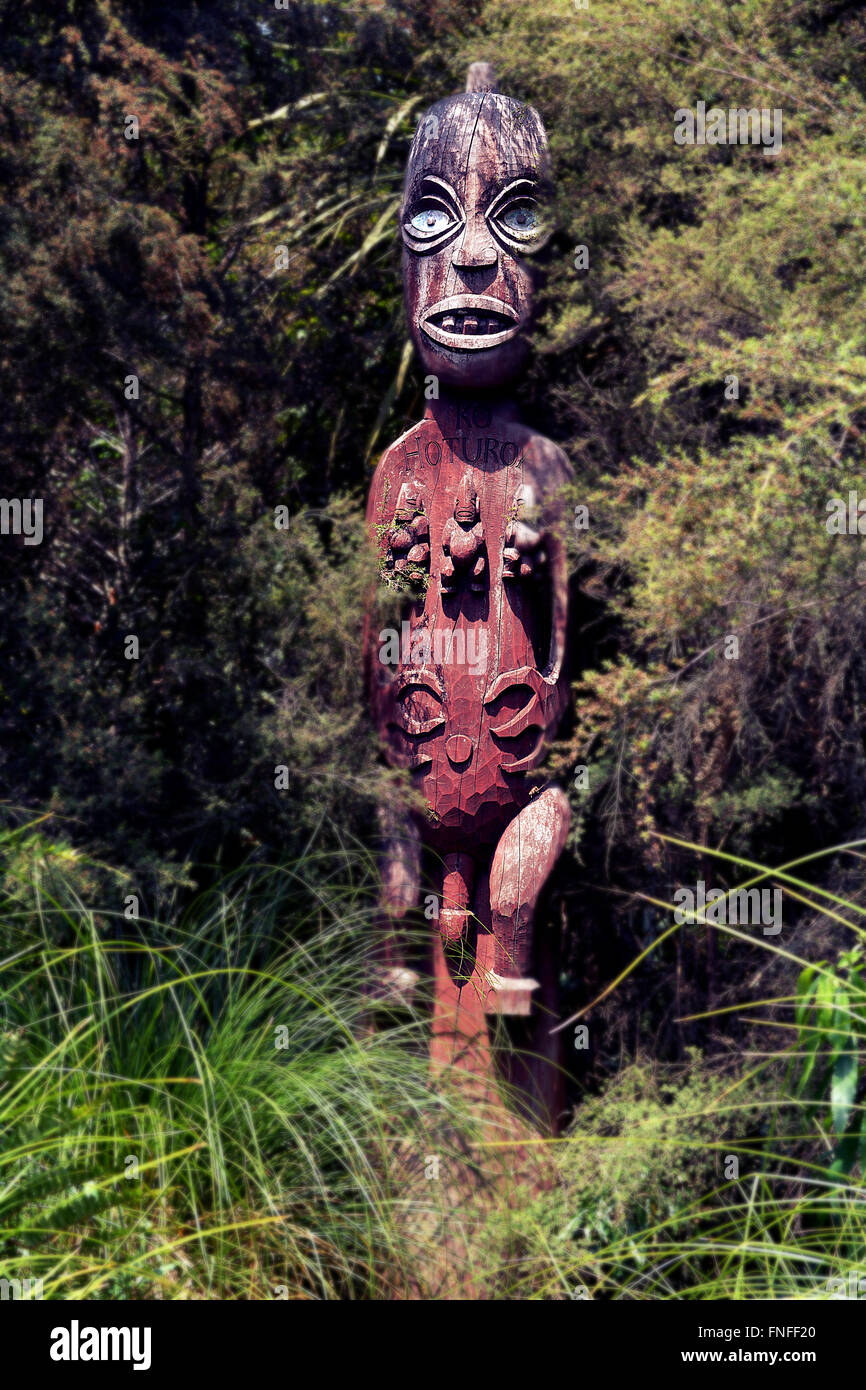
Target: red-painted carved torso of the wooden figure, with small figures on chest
(477, 686)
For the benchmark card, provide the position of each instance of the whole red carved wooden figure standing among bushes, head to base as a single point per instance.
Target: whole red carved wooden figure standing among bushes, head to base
(466, 511)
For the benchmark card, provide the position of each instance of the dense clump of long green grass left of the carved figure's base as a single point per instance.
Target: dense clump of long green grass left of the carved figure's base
(194, 1109)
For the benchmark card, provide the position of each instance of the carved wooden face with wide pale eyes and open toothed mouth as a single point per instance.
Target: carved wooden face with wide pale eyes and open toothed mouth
(472, 216)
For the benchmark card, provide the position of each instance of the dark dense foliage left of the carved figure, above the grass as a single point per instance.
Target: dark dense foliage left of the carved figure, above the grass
(258, 389)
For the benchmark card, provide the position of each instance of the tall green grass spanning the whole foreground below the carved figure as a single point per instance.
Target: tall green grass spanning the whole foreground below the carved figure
(193, 1106)
